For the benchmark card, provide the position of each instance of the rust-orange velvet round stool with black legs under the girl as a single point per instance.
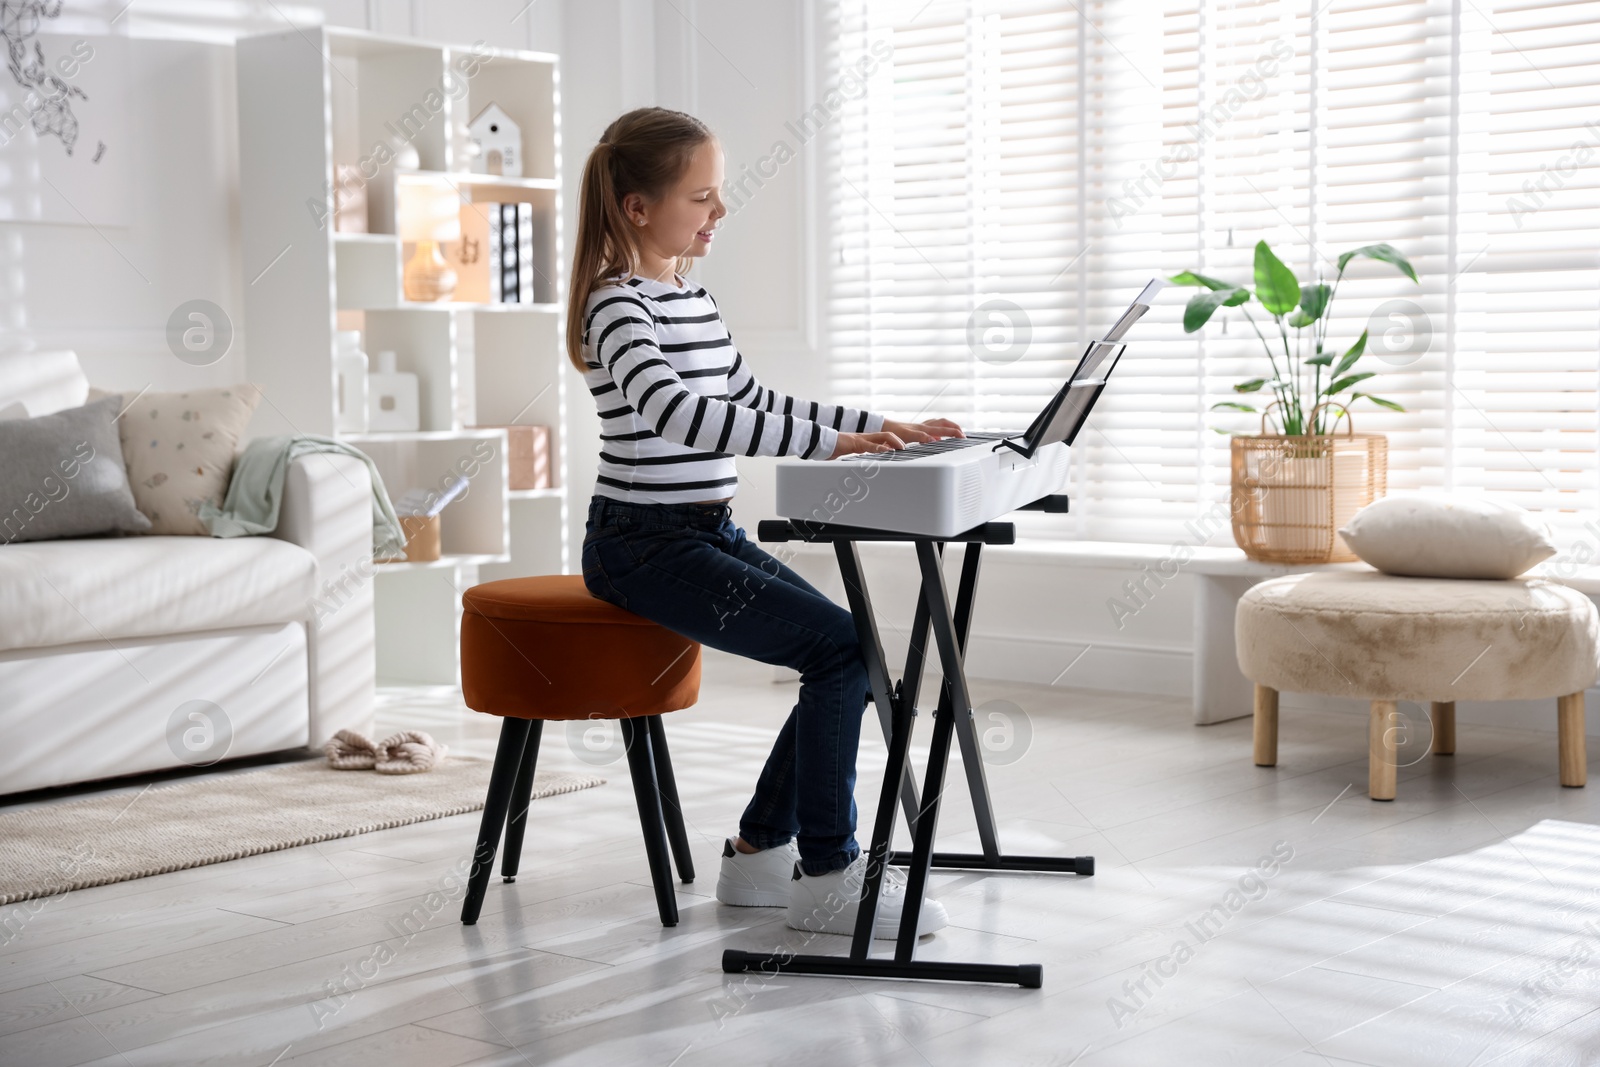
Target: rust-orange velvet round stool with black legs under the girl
(543, 647)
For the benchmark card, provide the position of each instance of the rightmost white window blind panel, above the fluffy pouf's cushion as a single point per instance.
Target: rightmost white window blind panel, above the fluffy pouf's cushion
(1522, 417)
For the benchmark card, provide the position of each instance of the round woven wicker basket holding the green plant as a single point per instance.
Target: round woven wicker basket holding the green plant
(1292, 494)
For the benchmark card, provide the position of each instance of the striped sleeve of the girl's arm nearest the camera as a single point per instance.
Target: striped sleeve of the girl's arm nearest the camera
(626, 345)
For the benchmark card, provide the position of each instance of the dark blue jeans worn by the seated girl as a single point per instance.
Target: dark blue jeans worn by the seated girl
(689, 569)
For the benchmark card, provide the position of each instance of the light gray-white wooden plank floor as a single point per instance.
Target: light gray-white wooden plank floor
(1457, 925)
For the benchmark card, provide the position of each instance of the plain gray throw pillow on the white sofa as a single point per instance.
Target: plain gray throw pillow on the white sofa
(65, 476)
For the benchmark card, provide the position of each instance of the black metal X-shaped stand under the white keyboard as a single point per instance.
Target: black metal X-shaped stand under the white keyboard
(897, 708)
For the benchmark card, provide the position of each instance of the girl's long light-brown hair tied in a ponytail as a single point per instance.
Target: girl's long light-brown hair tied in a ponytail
(647, 151)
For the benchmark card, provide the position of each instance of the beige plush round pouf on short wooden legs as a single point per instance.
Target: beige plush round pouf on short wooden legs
(1388, 639)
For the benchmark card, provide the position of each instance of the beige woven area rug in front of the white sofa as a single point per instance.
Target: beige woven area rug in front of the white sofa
(98, 841)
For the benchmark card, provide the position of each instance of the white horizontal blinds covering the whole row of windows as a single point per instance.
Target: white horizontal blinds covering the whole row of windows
(1010, 174)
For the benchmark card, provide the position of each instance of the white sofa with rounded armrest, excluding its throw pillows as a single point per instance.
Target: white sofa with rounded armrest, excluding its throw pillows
(142, 653)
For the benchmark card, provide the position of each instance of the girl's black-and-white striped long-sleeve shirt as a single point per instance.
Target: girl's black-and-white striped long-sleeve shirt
(678, 402)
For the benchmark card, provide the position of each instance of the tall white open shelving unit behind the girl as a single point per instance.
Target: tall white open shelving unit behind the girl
(314, 98)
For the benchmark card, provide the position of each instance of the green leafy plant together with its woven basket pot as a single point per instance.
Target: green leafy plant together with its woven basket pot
(1292, 490)
